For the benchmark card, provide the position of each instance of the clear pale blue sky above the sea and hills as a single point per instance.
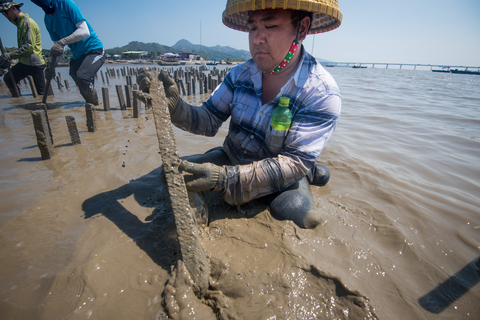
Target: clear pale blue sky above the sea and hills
(438, 32)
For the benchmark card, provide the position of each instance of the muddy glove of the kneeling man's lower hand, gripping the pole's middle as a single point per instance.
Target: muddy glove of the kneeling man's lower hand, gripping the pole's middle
(204, 176)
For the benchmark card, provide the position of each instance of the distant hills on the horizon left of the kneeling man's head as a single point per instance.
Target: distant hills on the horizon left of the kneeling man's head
(183, 45)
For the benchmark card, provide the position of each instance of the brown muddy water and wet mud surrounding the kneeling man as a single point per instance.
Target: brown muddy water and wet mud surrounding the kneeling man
(89, 234)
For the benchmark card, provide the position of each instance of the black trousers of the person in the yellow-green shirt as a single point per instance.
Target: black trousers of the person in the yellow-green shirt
(20, 71)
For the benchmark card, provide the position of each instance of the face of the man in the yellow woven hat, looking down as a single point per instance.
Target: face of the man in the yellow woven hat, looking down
(271, 34)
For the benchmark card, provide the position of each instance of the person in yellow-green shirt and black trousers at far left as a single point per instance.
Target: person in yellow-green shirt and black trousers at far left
(29, 52)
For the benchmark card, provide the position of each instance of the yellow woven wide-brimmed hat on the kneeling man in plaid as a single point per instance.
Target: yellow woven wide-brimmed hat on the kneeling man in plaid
(326, 13)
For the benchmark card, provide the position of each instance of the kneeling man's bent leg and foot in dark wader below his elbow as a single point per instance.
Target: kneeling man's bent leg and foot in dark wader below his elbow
(297, 203)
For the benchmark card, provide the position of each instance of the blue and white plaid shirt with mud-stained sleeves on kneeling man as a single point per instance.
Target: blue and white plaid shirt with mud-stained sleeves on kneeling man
(265, 161)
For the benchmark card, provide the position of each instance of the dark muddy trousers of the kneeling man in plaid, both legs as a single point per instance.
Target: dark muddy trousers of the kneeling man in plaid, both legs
(295, 203)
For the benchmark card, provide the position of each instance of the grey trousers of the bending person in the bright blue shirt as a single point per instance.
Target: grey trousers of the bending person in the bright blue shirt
(83, 71)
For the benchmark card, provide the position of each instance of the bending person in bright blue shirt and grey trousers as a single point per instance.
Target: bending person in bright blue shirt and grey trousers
(67, 26)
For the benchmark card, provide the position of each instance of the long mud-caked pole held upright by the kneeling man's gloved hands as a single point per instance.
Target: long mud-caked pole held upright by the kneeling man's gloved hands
(192, 252)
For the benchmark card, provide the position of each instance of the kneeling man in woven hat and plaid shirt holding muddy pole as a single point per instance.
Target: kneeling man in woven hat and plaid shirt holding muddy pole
(252, 164)
